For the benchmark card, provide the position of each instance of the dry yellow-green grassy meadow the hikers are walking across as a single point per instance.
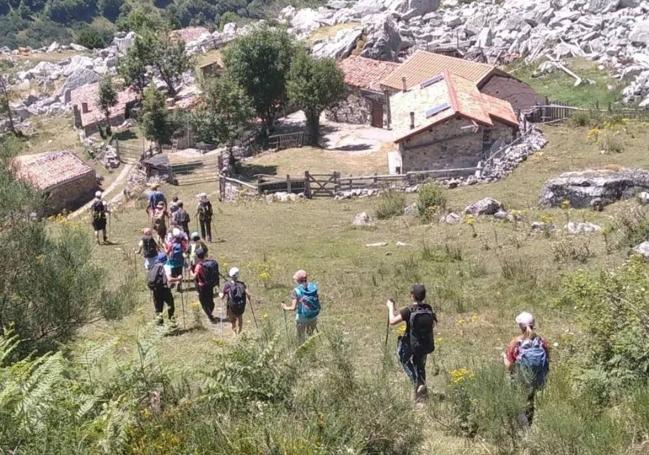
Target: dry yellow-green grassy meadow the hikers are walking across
(479, 276)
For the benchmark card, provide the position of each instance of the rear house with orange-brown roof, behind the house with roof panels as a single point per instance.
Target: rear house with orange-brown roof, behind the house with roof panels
(488, 79)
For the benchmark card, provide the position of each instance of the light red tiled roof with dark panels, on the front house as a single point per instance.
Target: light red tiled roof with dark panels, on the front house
(460, 96)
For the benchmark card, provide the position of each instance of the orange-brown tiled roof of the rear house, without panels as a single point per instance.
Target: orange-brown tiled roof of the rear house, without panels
(423, 65)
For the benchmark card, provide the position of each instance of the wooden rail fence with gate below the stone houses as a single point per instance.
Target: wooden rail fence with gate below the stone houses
(329, 185)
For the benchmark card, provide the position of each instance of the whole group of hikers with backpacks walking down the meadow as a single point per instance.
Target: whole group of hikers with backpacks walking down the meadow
(171, 254)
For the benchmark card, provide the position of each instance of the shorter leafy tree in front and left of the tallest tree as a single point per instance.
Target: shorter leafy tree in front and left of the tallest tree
(225, 115)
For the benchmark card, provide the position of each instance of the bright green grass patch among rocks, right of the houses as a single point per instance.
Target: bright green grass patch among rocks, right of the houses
(558, 86)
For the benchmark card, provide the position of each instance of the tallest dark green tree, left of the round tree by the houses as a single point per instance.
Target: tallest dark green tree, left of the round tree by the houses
(259, 62)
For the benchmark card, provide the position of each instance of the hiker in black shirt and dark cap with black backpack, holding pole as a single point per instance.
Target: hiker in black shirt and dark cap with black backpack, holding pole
(417, 341)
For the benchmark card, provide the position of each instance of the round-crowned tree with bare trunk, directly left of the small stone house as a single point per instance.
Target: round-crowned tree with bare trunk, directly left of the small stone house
(314, 85)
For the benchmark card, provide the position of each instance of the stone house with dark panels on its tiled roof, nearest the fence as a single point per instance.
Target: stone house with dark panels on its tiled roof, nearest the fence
(446, 123)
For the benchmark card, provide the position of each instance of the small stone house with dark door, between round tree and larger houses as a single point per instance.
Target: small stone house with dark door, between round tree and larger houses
(366, 102)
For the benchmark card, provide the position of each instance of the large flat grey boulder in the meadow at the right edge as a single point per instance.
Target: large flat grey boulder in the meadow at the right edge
(583, 187)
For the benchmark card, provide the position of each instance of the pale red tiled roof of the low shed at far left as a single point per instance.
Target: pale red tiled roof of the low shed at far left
(47, 170)
